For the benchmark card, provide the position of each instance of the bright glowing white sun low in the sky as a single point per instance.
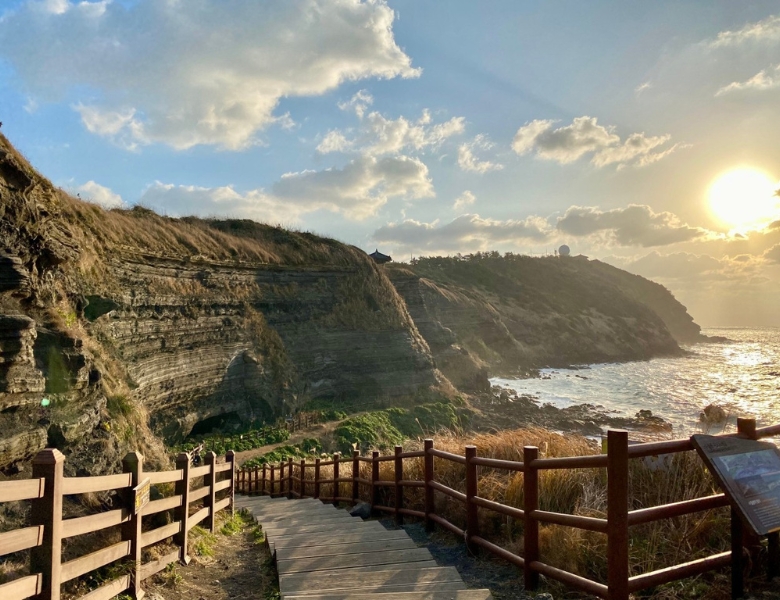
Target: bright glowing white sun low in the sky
(743, 198)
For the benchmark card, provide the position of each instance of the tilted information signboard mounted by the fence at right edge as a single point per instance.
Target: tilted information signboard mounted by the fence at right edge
(749, 473)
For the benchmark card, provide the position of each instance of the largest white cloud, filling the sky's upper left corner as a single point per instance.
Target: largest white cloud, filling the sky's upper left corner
(196, 72)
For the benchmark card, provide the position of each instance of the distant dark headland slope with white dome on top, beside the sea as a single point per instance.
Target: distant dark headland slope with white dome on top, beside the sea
(514, 313)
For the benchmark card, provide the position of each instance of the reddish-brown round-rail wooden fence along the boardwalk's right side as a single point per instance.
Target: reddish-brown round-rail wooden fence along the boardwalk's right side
(291, 479)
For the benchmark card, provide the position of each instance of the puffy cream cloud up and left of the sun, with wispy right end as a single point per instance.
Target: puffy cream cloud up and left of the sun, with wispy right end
(571, 142)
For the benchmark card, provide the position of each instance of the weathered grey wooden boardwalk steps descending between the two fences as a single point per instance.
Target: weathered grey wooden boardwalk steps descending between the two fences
(324, 553)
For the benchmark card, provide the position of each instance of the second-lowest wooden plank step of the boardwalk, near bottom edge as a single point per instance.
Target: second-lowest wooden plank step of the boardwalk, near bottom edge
(366, 578)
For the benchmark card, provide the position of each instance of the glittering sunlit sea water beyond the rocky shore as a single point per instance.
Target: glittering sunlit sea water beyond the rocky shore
(742, 377)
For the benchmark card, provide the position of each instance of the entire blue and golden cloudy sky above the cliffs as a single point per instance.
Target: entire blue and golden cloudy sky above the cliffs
(643, 134)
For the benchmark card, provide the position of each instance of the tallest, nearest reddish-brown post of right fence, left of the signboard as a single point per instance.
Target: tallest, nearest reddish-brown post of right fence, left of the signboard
(617, 514)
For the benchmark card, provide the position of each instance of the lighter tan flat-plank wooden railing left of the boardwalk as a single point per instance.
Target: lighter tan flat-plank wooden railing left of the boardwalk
(48, 529)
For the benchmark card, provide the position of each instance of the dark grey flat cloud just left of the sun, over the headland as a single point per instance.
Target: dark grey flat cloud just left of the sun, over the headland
(635, 225)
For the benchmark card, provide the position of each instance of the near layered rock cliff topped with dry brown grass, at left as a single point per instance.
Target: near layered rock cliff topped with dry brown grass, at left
(114, 322)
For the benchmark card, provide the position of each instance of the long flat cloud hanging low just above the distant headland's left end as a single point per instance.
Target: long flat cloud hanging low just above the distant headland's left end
(466, 233)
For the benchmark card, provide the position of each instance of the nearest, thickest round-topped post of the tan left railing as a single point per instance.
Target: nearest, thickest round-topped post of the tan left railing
(47, 511)
